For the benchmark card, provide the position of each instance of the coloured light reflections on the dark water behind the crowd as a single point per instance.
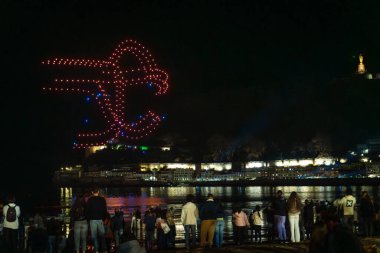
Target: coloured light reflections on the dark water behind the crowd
(248, 197)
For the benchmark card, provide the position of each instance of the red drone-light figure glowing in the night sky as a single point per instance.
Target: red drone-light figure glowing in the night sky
(109, 92)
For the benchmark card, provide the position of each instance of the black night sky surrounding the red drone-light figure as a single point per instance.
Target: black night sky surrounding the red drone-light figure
(279, 71)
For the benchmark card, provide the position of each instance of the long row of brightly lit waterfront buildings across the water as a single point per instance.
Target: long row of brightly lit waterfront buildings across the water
(185, 172)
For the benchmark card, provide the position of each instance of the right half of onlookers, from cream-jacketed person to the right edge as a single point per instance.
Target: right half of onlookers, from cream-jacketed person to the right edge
(286, 219)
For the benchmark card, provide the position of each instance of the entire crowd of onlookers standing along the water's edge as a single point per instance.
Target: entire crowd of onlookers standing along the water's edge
(283, 220)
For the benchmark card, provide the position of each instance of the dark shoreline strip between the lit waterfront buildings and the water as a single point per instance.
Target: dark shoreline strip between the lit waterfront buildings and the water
(257, 182)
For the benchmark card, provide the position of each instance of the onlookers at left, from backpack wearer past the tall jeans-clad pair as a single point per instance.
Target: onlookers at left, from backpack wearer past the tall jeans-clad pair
(91, 229)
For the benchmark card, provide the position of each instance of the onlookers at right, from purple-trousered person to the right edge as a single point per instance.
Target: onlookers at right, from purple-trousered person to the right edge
(359, 217)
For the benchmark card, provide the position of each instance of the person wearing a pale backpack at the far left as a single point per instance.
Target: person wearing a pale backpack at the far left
(11, 212)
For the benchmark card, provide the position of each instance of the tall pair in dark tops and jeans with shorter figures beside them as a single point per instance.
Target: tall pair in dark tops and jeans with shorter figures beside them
(107, 234)
